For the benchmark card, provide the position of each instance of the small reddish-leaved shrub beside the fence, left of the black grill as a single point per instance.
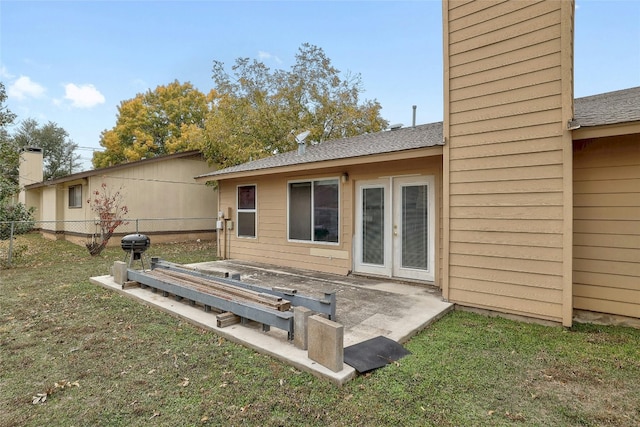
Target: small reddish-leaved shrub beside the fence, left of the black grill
(110, 210)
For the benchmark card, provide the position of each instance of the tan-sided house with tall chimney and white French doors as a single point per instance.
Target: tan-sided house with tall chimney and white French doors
(522, 201)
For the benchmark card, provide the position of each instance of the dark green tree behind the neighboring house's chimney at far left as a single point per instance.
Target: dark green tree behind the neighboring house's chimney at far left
(57, 149)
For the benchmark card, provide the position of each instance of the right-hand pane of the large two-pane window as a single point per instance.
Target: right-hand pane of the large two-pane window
(325, 210)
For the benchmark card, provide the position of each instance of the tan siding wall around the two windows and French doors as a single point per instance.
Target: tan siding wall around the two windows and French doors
(271, 245)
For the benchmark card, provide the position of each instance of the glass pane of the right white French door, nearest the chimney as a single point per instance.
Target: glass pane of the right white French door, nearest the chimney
(414, 227)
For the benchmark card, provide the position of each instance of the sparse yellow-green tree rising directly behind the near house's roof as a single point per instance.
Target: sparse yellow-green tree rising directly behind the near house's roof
(256, 111)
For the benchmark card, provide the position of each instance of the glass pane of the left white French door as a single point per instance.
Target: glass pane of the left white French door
(373, 226)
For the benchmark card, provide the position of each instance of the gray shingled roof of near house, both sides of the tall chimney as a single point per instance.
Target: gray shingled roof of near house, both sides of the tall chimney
(604, 109)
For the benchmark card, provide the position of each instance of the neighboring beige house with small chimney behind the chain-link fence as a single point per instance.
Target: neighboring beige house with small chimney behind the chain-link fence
(163, 200)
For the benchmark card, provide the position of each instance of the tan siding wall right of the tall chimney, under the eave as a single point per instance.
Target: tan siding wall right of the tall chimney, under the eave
(607, 226)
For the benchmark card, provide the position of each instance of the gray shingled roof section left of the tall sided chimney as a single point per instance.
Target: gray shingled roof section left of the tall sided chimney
(389, 141)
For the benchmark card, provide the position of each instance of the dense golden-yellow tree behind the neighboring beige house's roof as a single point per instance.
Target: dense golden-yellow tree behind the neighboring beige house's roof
(168, 120)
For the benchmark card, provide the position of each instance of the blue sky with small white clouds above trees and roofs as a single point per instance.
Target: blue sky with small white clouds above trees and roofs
(74, 62)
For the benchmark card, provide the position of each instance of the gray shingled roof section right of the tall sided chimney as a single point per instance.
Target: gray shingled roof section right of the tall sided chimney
(608, 108)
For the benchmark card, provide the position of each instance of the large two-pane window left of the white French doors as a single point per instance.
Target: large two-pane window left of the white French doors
(313, 210)
